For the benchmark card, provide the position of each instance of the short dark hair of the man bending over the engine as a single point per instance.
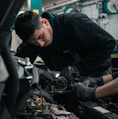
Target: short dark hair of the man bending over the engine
(26, 23)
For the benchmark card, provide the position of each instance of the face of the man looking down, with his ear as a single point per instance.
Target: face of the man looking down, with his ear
(43, 36)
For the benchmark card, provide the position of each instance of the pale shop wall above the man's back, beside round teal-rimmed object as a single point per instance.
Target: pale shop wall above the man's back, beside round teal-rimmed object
(106, 21)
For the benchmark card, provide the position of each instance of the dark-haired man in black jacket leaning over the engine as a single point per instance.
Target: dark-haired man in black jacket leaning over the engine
(67, 39)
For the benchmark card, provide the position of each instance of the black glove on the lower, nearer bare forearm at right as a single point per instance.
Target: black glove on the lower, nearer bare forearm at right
(81, 92)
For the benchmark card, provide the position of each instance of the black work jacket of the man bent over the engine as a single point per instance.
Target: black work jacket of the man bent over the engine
(76, 40)
